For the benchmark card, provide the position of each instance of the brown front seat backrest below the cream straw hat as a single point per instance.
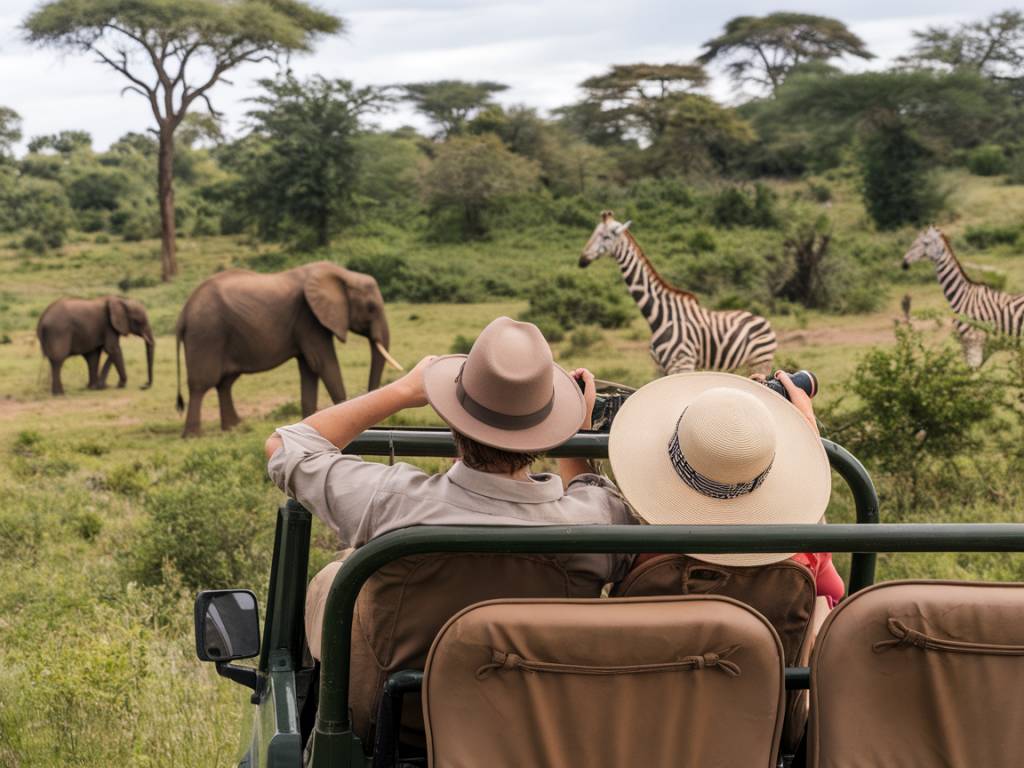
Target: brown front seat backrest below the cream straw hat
(783, 592)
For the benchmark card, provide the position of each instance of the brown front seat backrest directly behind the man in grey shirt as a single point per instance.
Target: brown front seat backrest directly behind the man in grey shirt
(404, 606)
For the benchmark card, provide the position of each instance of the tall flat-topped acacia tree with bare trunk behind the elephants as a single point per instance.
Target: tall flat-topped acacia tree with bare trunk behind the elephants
(173, 53)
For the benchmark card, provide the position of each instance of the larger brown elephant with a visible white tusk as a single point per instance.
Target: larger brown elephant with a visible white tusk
(240, 322)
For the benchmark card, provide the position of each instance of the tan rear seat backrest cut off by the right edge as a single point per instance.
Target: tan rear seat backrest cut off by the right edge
(921, 673)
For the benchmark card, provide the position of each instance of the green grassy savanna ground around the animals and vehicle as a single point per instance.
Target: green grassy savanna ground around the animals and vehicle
(112, 522)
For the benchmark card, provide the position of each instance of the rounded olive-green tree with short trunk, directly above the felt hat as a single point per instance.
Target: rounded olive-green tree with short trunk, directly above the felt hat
(474, 175)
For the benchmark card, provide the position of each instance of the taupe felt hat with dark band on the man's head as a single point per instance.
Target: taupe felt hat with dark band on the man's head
(508, 393)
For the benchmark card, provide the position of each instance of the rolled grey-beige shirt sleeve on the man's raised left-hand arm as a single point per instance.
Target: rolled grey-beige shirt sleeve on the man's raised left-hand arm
(338, 488)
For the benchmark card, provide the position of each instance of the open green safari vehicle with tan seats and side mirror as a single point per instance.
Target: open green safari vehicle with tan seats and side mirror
(967, 639)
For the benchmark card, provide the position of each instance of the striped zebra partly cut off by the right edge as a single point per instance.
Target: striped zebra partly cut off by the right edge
(973, 303)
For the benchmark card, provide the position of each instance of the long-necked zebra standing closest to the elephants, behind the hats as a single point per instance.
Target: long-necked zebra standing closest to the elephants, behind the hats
(685, 335)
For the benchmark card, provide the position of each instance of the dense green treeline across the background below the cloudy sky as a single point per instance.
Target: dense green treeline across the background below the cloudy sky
(312, 162)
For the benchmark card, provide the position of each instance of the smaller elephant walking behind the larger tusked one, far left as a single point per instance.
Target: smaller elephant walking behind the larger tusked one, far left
(91, 327)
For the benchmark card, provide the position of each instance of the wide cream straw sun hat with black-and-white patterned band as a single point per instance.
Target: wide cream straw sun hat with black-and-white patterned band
(717, 449)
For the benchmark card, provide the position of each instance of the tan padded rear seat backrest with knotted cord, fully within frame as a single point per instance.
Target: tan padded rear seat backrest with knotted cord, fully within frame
(655, 681)
